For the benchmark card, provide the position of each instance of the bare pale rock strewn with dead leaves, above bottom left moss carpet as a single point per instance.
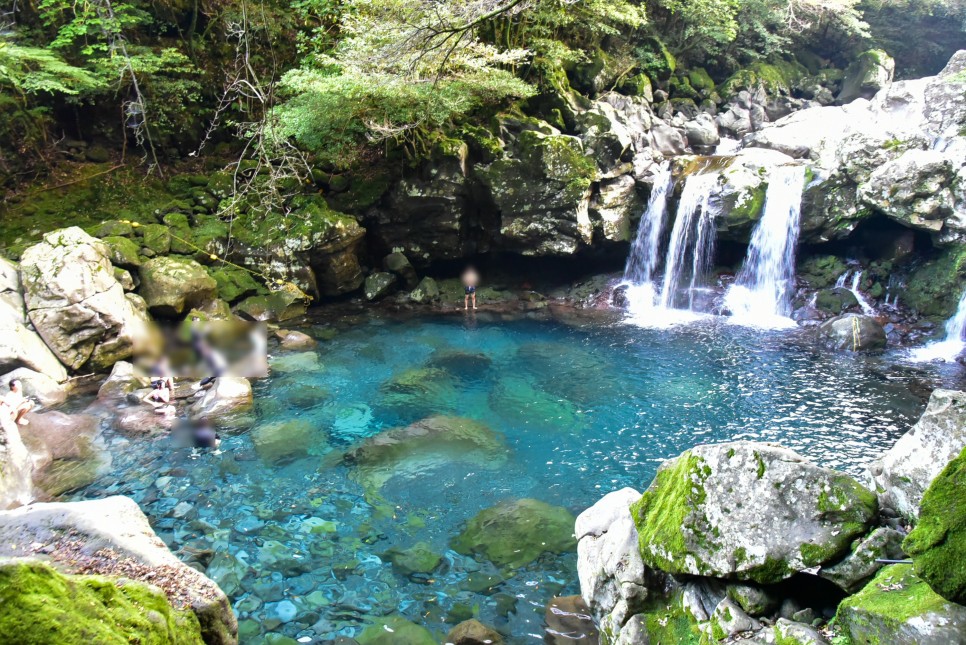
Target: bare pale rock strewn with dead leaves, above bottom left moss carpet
(112, 537)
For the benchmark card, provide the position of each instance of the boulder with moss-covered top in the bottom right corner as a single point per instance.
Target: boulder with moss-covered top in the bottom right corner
(899, 608)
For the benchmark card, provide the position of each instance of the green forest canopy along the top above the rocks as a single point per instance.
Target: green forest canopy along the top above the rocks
(338, 79)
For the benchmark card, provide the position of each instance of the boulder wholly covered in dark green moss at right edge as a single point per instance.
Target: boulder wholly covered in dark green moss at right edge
(938, 543)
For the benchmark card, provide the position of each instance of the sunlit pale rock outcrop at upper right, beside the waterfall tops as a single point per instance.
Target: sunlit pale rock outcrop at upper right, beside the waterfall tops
(901, 152)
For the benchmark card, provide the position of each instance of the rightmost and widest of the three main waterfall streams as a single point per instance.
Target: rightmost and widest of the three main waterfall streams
(761, 294)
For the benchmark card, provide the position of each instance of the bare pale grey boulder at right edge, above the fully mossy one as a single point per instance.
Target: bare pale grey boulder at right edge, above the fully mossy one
(906, 470)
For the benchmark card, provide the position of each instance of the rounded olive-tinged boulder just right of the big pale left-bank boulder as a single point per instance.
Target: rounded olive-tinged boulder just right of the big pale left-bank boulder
(172, 285)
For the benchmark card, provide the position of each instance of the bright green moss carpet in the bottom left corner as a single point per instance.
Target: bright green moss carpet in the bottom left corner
(39, 606)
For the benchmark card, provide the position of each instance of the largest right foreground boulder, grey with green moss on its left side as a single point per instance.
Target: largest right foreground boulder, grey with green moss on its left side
(748, 511)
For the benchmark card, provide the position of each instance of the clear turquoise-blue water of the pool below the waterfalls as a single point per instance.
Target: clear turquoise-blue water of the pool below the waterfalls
(583, 411)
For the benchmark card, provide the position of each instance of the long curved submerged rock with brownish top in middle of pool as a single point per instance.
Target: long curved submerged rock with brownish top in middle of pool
(422, 445)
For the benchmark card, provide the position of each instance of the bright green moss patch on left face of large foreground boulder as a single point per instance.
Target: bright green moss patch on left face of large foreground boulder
(664, 512)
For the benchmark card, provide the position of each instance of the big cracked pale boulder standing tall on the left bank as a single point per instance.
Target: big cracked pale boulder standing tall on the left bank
(76, 304)
